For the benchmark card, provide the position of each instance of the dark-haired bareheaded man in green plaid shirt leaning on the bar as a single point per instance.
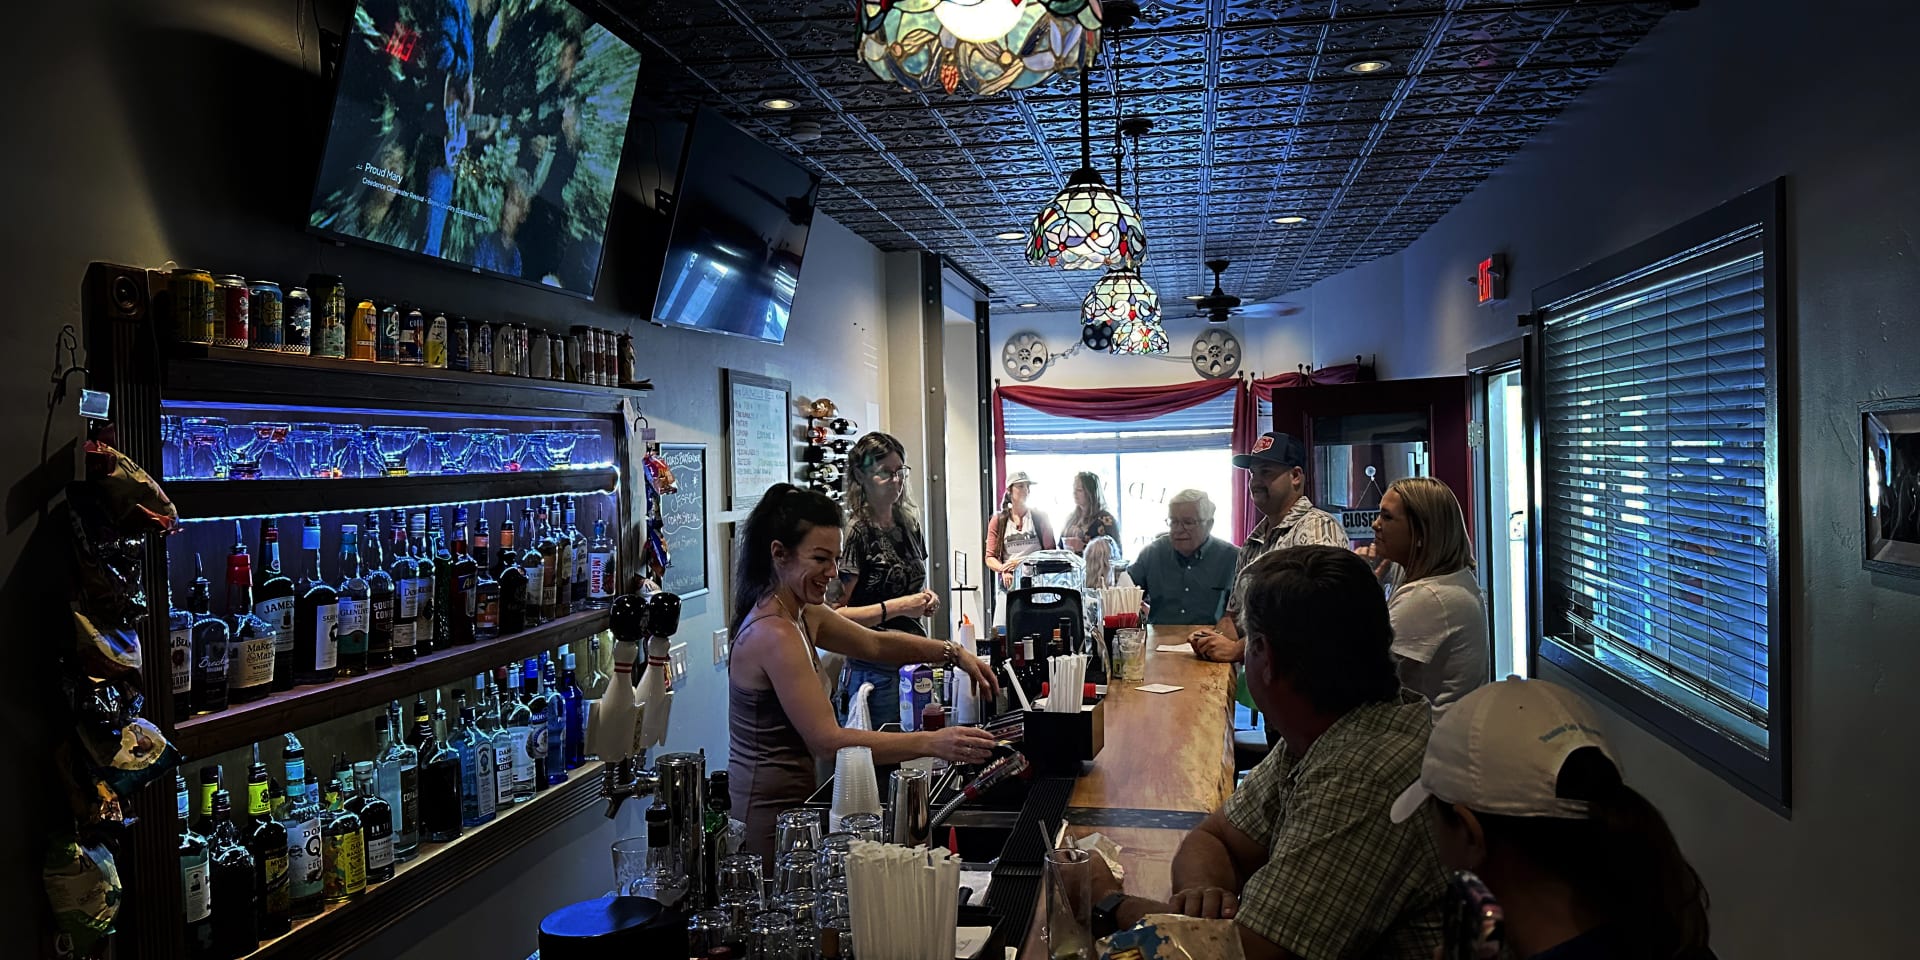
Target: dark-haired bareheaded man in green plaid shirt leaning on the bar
(1305, 859)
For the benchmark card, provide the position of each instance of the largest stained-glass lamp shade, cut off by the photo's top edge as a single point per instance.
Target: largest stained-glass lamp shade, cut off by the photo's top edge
(986, 47)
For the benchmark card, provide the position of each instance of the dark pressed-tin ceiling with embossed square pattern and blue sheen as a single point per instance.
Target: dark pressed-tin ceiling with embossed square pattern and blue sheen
(1253, 107)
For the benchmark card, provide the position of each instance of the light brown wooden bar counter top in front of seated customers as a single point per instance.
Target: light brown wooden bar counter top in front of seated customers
(1166, 763)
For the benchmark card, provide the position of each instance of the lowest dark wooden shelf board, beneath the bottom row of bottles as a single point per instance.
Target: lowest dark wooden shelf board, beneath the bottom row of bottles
(435, 871)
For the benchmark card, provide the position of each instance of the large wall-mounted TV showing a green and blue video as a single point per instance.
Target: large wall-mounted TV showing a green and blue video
(479, 133)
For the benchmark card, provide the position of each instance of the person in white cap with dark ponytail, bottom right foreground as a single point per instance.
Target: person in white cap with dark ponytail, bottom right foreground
(1527, 796)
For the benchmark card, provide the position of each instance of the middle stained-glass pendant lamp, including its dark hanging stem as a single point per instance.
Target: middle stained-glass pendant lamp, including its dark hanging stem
(1088, 226)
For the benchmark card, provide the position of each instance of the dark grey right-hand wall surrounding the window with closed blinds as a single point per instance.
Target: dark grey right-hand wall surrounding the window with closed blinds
(1712, 105)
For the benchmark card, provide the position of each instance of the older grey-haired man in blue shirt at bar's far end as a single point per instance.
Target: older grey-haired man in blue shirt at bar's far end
(1188, 571)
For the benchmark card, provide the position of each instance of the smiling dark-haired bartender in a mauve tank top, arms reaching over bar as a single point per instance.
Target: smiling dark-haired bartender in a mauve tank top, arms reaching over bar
(780, 719)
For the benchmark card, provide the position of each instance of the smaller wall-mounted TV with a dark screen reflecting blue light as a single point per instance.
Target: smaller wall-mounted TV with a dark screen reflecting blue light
(740, 229)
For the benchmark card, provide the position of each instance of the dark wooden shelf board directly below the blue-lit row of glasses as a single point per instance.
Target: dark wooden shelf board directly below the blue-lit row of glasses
(233, 500)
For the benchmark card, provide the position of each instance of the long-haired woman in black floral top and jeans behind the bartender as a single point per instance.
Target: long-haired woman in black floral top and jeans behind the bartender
(884, 565)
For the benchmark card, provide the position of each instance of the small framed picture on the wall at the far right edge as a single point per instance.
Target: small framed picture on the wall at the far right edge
(1890, 487)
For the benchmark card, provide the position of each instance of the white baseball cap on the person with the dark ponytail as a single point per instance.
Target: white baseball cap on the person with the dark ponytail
(1500, 752)
